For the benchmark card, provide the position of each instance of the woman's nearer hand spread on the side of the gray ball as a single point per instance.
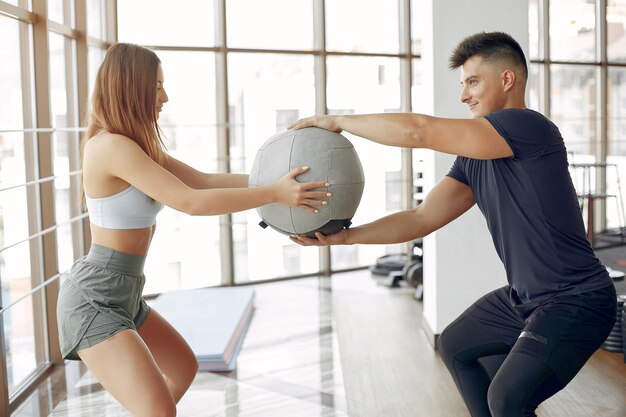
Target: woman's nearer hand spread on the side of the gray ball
(298, 194)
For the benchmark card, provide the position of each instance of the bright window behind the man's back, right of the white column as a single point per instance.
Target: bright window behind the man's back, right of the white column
(573, 68)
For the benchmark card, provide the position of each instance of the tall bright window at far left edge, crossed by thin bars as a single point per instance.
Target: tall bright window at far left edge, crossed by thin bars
(16, 260)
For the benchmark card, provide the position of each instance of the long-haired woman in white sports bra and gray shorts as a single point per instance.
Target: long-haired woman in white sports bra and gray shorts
(127, 177)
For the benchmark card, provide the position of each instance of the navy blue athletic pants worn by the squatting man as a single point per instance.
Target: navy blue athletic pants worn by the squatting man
(542, 346)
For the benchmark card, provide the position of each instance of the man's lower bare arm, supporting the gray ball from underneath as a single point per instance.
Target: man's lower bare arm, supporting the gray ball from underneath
(444, 203)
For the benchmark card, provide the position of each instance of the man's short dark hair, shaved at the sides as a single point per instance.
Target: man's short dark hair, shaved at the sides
(490, 46)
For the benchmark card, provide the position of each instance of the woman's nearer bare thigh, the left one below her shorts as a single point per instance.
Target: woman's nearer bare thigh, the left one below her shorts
(125, 367)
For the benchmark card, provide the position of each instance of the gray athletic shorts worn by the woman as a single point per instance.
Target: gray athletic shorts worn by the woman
(100, 297)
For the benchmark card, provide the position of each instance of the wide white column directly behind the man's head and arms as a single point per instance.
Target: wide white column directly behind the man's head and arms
(460, 262)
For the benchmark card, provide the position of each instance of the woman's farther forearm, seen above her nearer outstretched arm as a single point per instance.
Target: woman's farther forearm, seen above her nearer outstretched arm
(199, 180)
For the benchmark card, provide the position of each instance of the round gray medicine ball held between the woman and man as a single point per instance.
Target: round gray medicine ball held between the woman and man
(330, 158)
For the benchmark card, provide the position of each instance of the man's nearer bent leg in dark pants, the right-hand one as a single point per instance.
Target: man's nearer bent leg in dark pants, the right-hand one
(557, 341)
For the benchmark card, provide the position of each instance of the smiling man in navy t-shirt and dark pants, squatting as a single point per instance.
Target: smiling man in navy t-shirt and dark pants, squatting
(560, 303)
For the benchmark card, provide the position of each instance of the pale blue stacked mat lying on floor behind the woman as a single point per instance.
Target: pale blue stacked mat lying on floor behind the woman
(213, 321)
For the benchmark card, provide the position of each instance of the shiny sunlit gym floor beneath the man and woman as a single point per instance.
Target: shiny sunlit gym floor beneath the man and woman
(291, 364)
